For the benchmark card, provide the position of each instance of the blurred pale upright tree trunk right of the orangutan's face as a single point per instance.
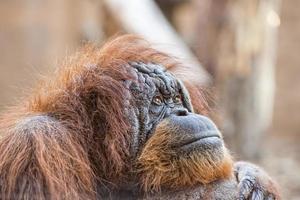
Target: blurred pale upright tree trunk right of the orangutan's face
(237, 41)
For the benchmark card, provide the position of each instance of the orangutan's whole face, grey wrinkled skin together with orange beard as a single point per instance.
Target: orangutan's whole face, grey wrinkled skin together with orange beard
(172, 146)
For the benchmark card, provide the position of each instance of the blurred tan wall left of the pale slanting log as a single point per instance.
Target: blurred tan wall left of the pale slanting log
(34, 35)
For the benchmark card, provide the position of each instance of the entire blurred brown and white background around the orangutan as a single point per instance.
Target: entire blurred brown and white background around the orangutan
(248, 50)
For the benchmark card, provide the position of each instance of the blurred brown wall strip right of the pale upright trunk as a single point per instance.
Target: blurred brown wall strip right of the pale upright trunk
(287, 102)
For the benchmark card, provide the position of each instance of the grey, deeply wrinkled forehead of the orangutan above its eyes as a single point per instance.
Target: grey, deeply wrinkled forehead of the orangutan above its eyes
(155, 76)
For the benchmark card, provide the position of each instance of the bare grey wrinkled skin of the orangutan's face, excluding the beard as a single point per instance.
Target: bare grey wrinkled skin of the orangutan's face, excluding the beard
(159, 96)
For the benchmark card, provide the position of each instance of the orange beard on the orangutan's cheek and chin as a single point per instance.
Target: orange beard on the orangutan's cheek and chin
(160, 166)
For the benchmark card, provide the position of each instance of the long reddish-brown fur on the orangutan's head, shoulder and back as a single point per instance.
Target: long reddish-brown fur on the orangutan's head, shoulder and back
(72, 134)
